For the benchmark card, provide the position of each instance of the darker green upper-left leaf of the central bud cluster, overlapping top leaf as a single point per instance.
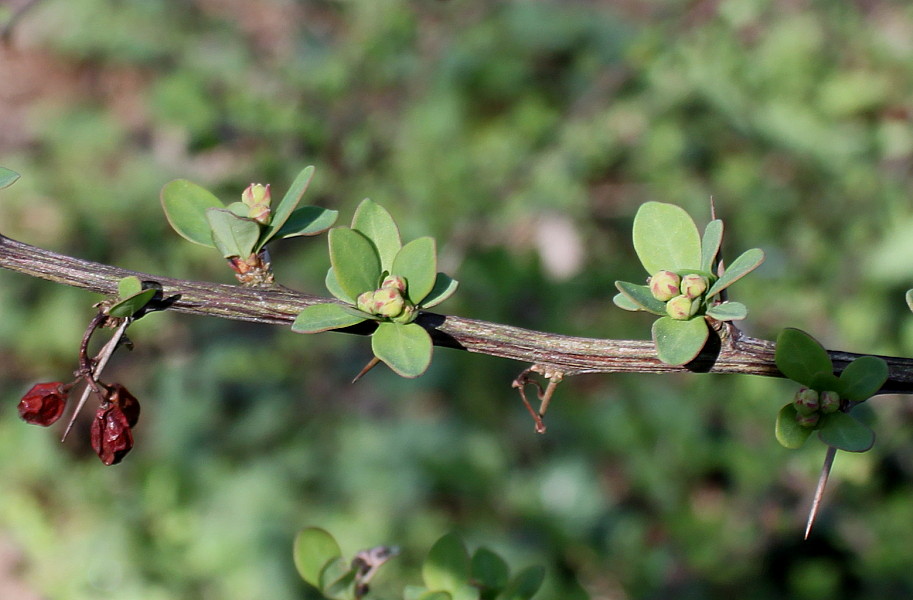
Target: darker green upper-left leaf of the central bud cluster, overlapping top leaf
(355, 261)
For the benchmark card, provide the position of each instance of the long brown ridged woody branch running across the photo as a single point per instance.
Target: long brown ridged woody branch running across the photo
(567, 355)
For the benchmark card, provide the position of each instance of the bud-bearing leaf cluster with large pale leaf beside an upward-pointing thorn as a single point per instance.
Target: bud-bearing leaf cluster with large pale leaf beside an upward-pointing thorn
(685, 284)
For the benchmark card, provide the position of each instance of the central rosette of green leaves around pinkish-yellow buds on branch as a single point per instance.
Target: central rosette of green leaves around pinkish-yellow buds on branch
(375, 277)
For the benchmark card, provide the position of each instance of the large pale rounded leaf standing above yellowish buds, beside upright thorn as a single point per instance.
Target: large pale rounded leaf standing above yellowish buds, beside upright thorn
(665, 237)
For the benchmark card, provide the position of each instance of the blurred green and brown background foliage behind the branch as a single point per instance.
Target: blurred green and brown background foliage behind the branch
(523, 135)
